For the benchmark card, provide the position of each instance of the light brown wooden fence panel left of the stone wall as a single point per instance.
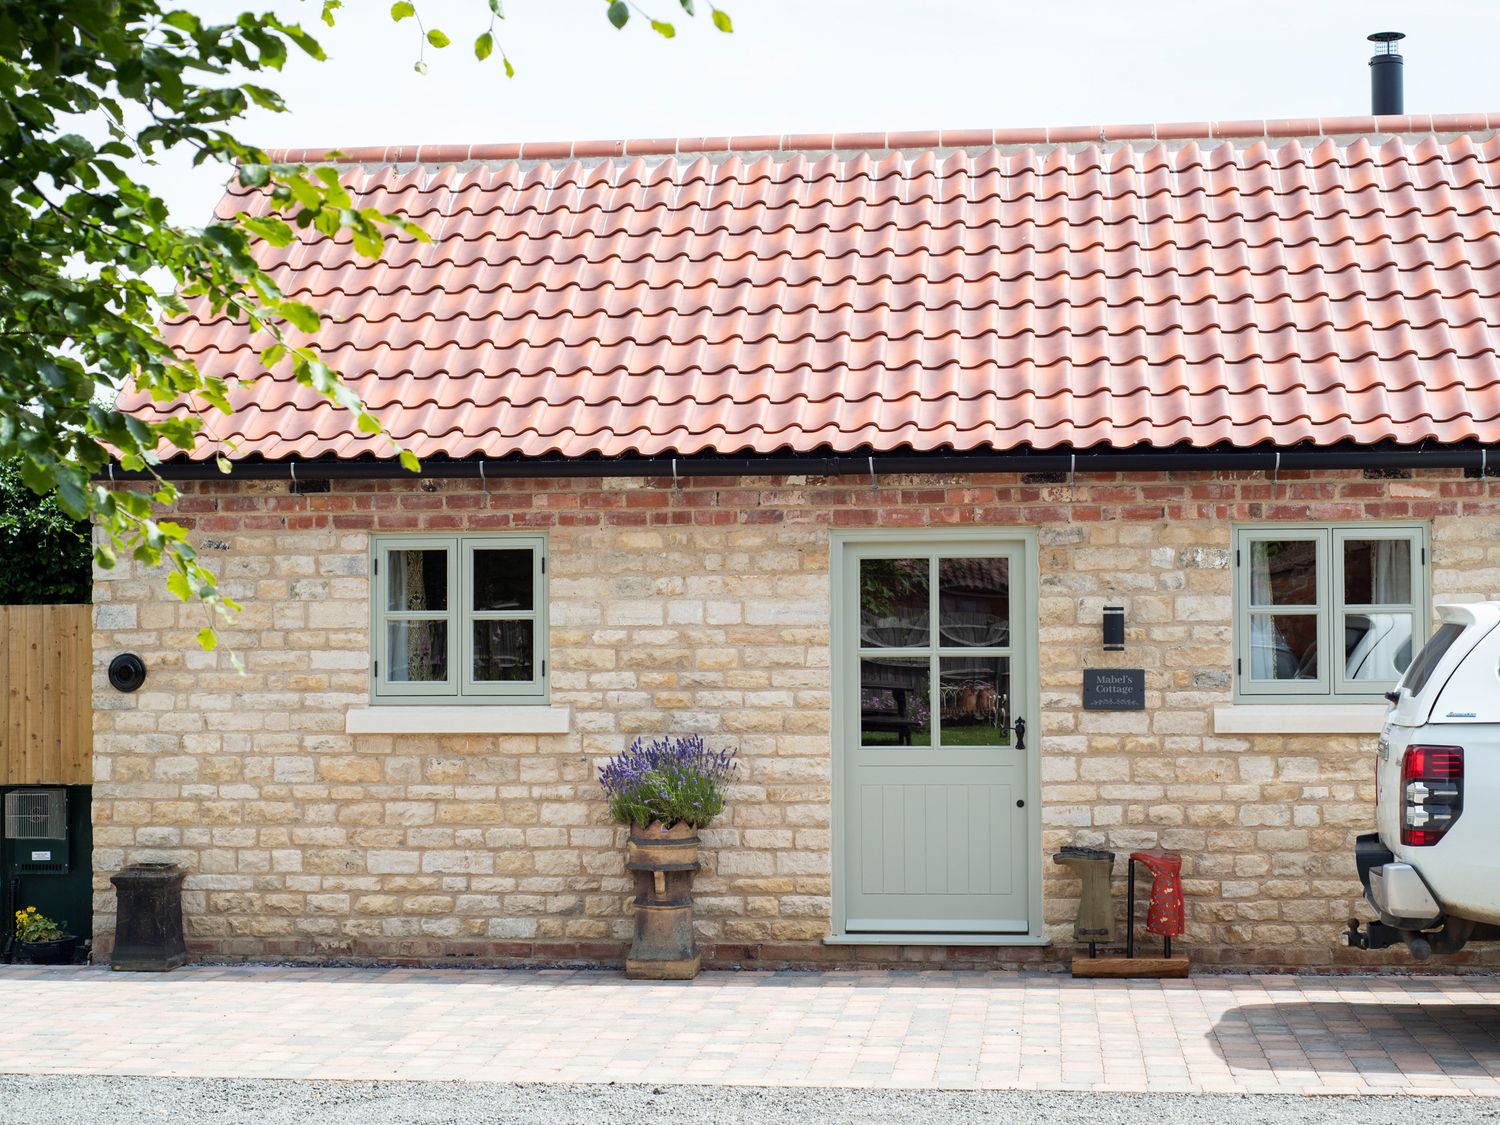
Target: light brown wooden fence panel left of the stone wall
(46, 695)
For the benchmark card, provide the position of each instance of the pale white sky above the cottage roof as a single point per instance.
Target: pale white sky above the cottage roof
(851, 65)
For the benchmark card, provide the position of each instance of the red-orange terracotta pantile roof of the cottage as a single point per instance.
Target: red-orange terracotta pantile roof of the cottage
(1054, 289)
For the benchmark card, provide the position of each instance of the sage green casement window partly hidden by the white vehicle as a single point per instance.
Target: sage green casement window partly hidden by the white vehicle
(1328, 613)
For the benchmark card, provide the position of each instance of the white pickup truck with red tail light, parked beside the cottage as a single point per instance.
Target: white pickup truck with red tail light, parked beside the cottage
(1432, 872)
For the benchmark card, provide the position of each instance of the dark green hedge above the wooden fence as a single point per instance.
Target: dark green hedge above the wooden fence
(44, 553)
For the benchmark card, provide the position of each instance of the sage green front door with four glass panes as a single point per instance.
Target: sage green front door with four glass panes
(935, 764)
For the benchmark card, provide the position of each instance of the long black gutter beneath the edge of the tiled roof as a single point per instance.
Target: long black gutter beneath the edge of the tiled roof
(845, 464)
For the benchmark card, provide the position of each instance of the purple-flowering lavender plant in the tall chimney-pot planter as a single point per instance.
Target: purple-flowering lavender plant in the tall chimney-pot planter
(670, 781)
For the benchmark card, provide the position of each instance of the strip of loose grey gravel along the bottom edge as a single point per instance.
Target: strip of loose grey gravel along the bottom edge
(70, 1100)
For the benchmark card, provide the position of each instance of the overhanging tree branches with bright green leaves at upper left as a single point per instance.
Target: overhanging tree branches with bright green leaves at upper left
(86, 247)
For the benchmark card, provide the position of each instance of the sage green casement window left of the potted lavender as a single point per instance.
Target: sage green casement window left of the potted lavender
(460, 619)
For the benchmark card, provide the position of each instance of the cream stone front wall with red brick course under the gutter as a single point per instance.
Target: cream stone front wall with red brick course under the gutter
(706, 610)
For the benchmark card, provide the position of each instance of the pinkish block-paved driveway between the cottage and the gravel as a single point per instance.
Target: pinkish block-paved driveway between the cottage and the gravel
(878, 1030)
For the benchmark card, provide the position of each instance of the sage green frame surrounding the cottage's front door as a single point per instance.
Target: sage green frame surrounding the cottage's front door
(1028, 628)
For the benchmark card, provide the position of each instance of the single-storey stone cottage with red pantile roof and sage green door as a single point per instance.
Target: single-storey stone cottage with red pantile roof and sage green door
(833, 449)
